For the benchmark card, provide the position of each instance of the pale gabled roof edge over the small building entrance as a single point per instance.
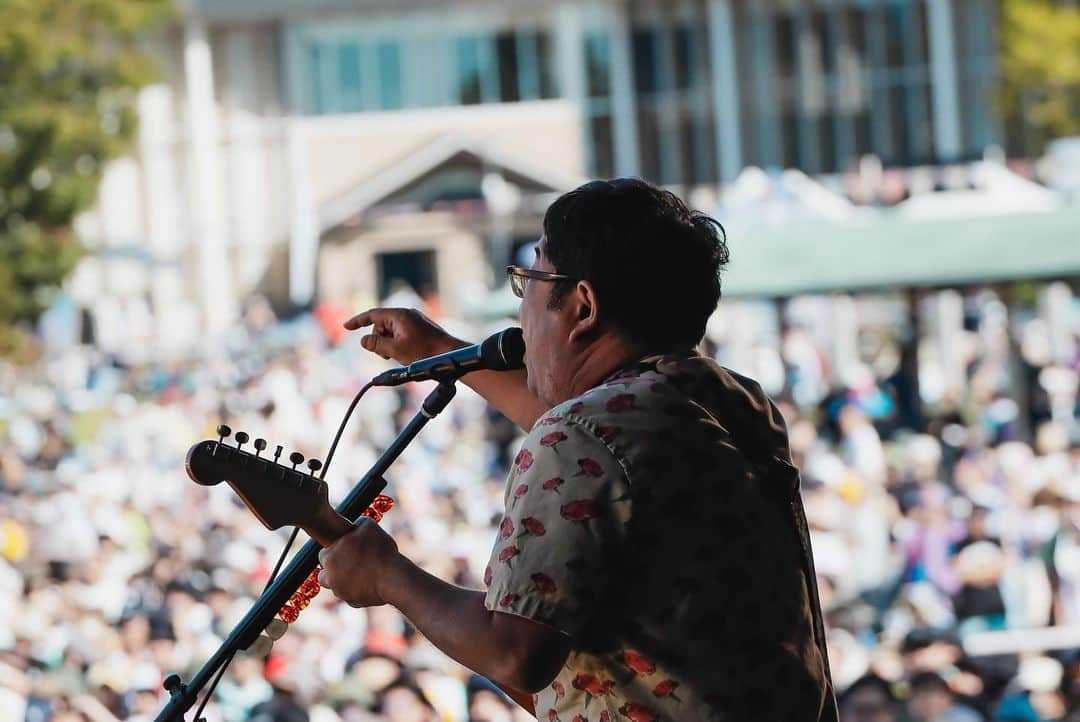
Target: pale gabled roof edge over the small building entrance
(428, 159)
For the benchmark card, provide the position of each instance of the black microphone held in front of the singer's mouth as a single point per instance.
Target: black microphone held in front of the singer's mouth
(502, 352)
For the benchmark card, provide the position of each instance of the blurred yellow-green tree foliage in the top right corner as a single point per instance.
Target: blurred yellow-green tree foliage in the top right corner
(1041, 70)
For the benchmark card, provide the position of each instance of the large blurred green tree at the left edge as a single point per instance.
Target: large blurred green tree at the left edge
(70, 72)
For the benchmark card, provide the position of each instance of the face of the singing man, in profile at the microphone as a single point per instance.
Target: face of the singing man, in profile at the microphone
(547, 332)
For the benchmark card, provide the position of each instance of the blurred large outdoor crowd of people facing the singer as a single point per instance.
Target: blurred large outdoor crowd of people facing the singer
(942, 552)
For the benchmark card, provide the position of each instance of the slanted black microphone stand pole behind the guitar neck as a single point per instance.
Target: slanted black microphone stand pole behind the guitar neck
(184, 697)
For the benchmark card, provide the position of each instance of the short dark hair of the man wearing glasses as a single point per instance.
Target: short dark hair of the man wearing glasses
(655, 264)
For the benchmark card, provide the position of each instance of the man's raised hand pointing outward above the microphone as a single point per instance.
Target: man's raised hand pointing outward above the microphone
(404, 335)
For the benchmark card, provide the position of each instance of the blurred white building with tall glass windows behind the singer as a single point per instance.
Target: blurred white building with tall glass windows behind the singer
(281, 129)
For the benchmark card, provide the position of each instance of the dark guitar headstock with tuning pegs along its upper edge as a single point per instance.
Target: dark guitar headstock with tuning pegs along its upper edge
(277, 495)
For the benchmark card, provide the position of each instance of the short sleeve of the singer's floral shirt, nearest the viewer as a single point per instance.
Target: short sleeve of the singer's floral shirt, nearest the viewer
(563, 530)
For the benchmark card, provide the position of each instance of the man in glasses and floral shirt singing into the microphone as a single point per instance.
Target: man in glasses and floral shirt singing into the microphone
(653, 563)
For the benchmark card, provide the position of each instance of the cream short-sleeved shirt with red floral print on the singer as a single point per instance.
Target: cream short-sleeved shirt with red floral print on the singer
(656, 521)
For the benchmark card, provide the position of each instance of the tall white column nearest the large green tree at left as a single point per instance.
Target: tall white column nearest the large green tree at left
(206, 182)
